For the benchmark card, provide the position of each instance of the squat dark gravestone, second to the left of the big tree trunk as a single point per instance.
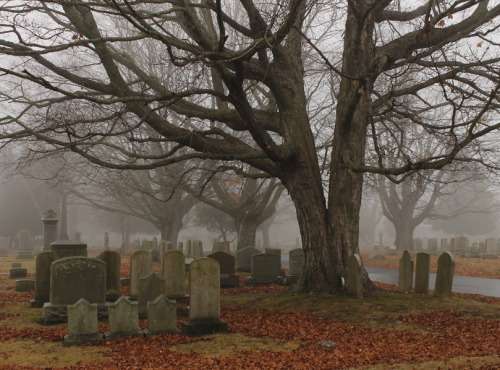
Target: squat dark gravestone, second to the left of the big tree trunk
(264, 269)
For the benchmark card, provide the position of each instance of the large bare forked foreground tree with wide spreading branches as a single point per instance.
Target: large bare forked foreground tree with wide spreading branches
(249, 55)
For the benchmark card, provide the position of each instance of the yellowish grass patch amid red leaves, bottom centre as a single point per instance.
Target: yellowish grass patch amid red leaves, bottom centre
(223, 345)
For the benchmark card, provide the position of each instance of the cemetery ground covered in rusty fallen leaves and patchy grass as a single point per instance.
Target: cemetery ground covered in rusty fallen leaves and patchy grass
(273, 328)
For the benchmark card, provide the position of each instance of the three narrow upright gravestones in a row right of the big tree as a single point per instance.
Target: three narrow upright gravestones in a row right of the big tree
(444, 276)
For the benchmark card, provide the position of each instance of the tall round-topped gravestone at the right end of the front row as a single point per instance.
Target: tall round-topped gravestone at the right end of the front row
(204, 299)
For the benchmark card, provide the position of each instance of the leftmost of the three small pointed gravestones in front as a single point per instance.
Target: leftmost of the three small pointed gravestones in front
(82, 324)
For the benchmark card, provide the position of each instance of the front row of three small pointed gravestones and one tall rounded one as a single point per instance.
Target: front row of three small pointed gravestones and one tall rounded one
(204, 311)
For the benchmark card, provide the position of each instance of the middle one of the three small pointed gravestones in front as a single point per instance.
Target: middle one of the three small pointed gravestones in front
(123, 319)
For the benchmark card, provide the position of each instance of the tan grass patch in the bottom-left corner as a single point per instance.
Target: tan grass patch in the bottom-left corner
(43, 354)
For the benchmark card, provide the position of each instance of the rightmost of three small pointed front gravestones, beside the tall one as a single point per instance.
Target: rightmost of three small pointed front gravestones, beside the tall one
(162, 316)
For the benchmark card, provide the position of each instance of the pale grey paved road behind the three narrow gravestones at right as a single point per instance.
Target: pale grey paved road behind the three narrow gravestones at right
(461, 284)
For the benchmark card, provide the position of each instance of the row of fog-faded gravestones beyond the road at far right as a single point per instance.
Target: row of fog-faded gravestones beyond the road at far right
(460, 245)
